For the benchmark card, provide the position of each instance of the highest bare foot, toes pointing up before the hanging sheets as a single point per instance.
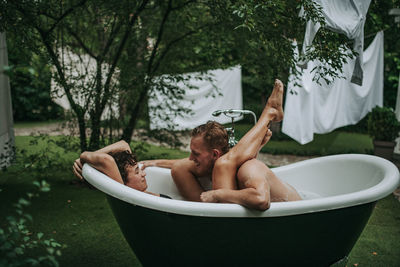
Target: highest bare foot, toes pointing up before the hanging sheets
(275, 101)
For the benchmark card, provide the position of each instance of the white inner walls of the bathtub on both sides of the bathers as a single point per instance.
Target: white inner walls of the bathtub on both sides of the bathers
(313, 179)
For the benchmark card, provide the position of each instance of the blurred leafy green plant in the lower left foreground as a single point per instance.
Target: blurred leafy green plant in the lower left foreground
(18, 245)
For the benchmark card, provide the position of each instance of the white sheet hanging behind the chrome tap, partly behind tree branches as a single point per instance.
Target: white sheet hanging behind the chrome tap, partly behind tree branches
(200, 101)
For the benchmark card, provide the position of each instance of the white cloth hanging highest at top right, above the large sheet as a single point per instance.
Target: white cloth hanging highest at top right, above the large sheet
(346, 17)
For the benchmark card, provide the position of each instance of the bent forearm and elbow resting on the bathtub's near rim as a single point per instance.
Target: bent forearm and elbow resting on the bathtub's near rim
(255, 195)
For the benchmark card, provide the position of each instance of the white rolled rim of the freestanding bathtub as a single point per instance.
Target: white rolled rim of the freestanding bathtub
(135, 197)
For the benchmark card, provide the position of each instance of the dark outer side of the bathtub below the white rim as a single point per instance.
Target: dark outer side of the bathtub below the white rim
(313, 239)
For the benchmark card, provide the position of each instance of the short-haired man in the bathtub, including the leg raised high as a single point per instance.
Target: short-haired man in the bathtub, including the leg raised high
(237, 176)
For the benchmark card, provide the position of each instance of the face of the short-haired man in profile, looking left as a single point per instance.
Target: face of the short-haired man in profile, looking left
(202, 156)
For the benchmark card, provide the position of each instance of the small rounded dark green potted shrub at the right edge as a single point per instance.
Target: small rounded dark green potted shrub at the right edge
(383, 124)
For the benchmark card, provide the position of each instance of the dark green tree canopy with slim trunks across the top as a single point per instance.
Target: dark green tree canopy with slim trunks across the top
(131, 43)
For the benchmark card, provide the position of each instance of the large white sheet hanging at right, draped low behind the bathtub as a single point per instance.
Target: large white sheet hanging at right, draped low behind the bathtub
(322, 108)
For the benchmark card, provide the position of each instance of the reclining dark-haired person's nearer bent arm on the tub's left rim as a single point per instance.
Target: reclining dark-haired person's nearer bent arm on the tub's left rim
(102, 162)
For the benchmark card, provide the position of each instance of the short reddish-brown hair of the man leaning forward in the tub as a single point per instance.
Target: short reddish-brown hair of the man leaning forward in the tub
(214, 134)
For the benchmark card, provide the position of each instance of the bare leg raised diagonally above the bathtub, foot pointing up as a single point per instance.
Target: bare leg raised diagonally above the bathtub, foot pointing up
(225, 168)
